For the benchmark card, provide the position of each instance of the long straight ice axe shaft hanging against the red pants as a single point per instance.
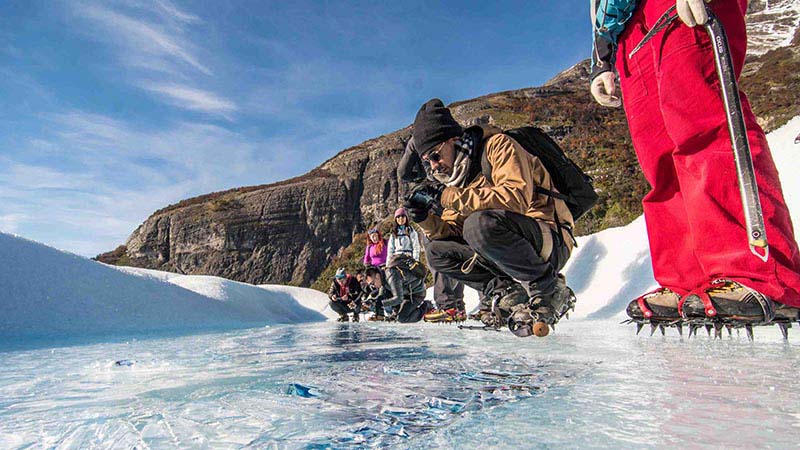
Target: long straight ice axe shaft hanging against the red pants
(751, 204)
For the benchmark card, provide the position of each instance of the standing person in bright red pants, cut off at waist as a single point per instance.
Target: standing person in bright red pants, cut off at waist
(695, 220)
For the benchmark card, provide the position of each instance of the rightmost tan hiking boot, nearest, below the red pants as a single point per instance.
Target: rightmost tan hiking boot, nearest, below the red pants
(729, 301)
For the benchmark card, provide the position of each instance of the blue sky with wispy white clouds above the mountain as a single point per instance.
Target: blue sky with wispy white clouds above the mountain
(113, 109)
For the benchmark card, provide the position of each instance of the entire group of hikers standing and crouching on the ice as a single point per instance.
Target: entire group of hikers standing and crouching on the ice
(492, 217)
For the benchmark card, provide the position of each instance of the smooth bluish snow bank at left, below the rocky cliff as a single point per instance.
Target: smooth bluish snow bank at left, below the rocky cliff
(53, 295)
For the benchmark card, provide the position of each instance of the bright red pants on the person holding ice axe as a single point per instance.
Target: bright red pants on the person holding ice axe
(694, 215)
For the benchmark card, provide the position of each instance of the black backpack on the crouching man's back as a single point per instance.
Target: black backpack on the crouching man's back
(574, 186)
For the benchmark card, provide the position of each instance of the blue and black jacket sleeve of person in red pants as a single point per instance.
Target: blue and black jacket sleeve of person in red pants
(609, 18)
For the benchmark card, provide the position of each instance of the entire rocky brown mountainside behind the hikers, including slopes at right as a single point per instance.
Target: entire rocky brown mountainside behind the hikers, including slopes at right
(288, 232)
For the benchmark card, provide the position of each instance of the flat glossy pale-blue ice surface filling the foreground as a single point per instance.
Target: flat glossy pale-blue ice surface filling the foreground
(416, 386)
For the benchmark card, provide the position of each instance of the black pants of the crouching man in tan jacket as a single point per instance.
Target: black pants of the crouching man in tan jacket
(508, 245)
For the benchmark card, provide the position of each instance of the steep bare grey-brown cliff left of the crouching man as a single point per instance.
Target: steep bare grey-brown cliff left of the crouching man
(280, 233)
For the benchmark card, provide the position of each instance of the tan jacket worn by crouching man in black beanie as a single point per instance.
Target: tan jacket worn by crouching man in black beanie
(515, 174)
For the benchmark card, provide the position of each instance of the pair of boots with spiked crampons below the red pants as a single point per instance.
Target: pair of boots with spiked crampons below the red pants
(724, 306)
